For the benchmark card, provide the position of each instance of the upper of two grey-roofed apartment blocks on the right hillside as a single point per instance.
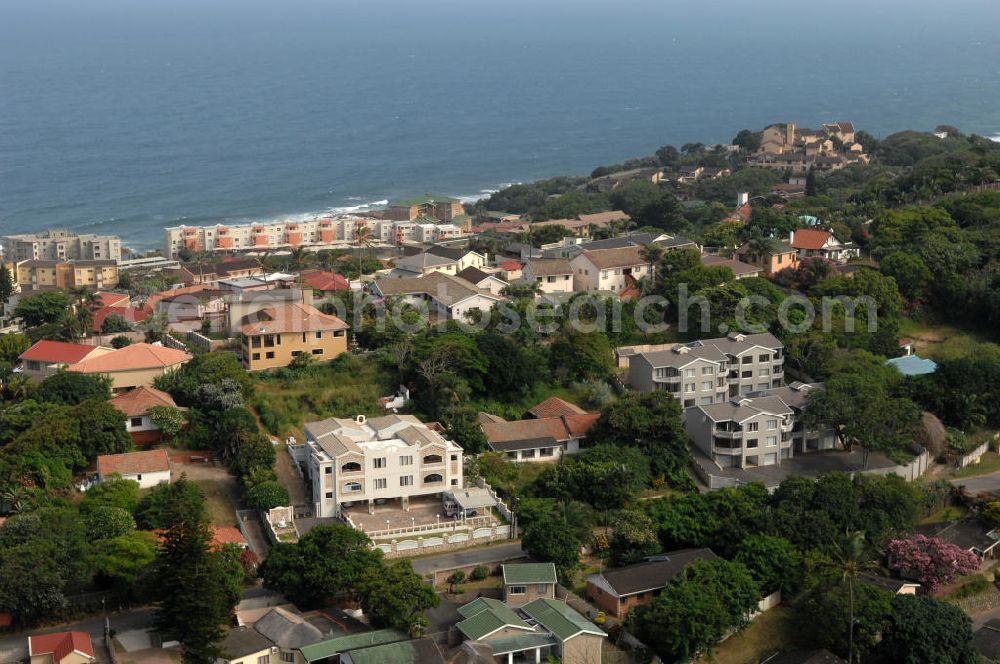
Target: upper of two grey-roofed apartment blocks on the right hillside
(710, 371)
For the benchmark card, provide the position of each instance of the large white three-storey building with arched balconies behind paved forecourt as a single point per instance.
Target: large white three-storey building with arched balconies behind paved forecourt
(395, 457)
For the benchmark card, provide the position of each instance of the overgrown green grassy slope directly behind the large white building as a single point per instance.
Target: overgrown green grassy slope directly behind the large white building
(352, 388)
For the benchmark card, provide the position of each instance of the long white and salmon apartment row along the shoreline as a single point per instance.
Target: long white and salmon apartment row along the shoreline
(321, 232)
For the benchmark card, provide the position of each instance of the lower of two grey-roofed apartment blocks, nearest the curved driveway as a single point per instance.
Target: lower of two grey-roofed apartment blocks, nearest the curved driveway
(760, 429)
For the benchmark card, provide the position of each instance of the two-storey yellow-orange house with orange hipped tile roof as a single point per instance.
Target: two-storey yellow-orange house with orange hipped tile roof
(273, 336)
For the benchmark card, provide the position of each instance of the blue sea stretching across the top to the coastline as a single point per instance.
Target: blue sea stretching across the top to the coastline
(125, 116)
